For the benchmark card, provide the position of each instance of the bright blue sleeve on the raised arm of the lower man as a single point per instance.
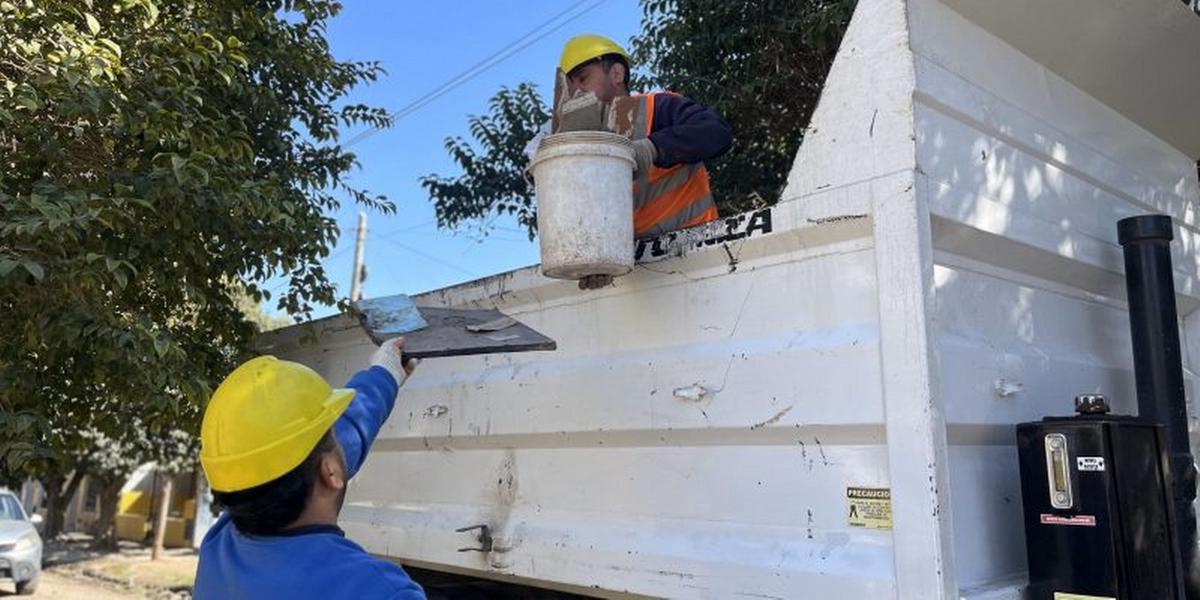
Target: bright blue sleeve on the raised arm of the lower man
(375, 395)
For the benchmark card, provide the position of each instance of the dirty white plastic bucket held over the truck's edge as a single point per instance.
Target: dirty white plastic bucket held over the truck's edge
(585, 205)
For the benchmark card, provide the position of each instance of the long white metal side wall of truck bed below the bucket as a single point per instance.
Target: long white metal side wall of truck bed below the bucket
(659, 451)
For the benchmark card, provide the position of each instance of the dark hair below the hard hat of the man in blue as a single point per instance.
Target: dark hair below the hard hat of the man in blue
(267, 509)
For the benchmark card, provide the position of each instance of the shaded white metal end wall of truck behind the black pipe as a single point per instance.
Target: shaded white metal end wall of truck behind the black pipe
(1027, 177)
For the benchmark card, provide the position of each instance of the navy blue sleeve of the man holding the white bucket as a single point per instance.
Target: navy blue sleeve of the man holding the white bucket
(686, 131)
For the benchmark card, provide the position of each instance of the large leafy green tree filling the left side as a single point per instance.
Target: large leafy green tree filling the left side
(158, 160)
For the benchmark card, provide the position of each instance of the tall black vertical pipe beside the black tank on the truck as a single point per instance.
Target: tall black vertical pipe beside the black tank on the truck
(1159, 368)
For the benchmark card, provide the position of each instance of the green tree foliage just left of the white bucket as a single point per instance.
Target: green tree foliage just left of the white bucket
(493, 182)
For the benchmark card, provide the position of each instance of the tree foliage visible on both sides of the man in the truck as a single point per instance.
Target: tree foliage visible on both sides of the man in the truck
(760, 64)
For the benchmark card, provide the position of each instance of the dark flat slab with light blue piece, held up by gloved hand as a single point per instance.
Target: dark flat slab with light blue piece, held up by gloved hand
(431, 333)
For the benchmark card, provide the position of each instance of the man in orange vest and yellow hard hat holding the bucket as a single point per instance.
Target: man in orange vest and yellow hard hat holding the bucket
(673, 137)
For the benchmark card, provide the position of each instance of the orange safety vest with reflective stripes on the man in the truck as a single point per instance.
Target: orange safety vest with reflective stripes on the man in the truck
(673, 199)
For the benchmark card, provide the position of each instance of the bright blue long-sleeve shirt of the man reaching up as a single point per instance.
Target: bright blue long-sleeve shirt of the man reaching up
(311, 562)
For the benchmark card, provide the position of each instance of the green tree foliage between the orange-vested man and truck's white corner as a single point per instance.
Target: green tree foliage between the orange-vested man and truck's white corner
(760, 64)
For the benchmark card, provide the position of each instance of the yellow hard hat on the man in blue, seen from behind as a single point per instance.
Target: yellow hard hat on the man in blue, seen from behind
(263, 421)
